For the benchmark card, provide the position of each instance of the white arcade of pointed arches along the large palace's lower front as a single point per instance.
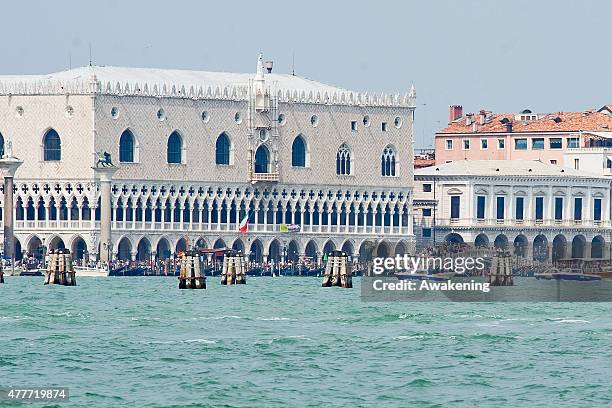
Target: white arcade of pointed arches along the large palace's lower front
(174, 208)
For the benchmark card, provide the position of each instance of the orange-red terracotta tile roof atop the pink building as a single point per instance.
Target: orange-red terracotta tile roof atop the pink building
(566, 122)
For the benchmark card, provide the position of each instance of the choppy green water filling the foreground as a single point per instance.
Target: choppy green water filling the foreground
(278, 342)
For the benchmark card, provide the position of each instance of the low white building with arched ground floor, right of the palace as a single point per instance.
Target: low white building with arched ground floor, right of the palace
(550, 211)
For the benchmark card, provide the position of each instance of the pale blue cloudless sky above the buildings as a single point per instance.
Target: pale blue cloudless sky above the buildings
(503, 56)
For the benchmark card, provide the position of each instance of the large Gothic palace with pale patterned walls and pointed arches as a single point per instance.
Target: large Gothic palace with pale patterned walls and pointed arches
(313, 167)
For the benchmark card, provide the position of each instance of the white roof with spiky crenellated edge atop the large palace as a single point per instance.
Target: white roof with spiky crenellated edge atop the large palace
(118, 81)
